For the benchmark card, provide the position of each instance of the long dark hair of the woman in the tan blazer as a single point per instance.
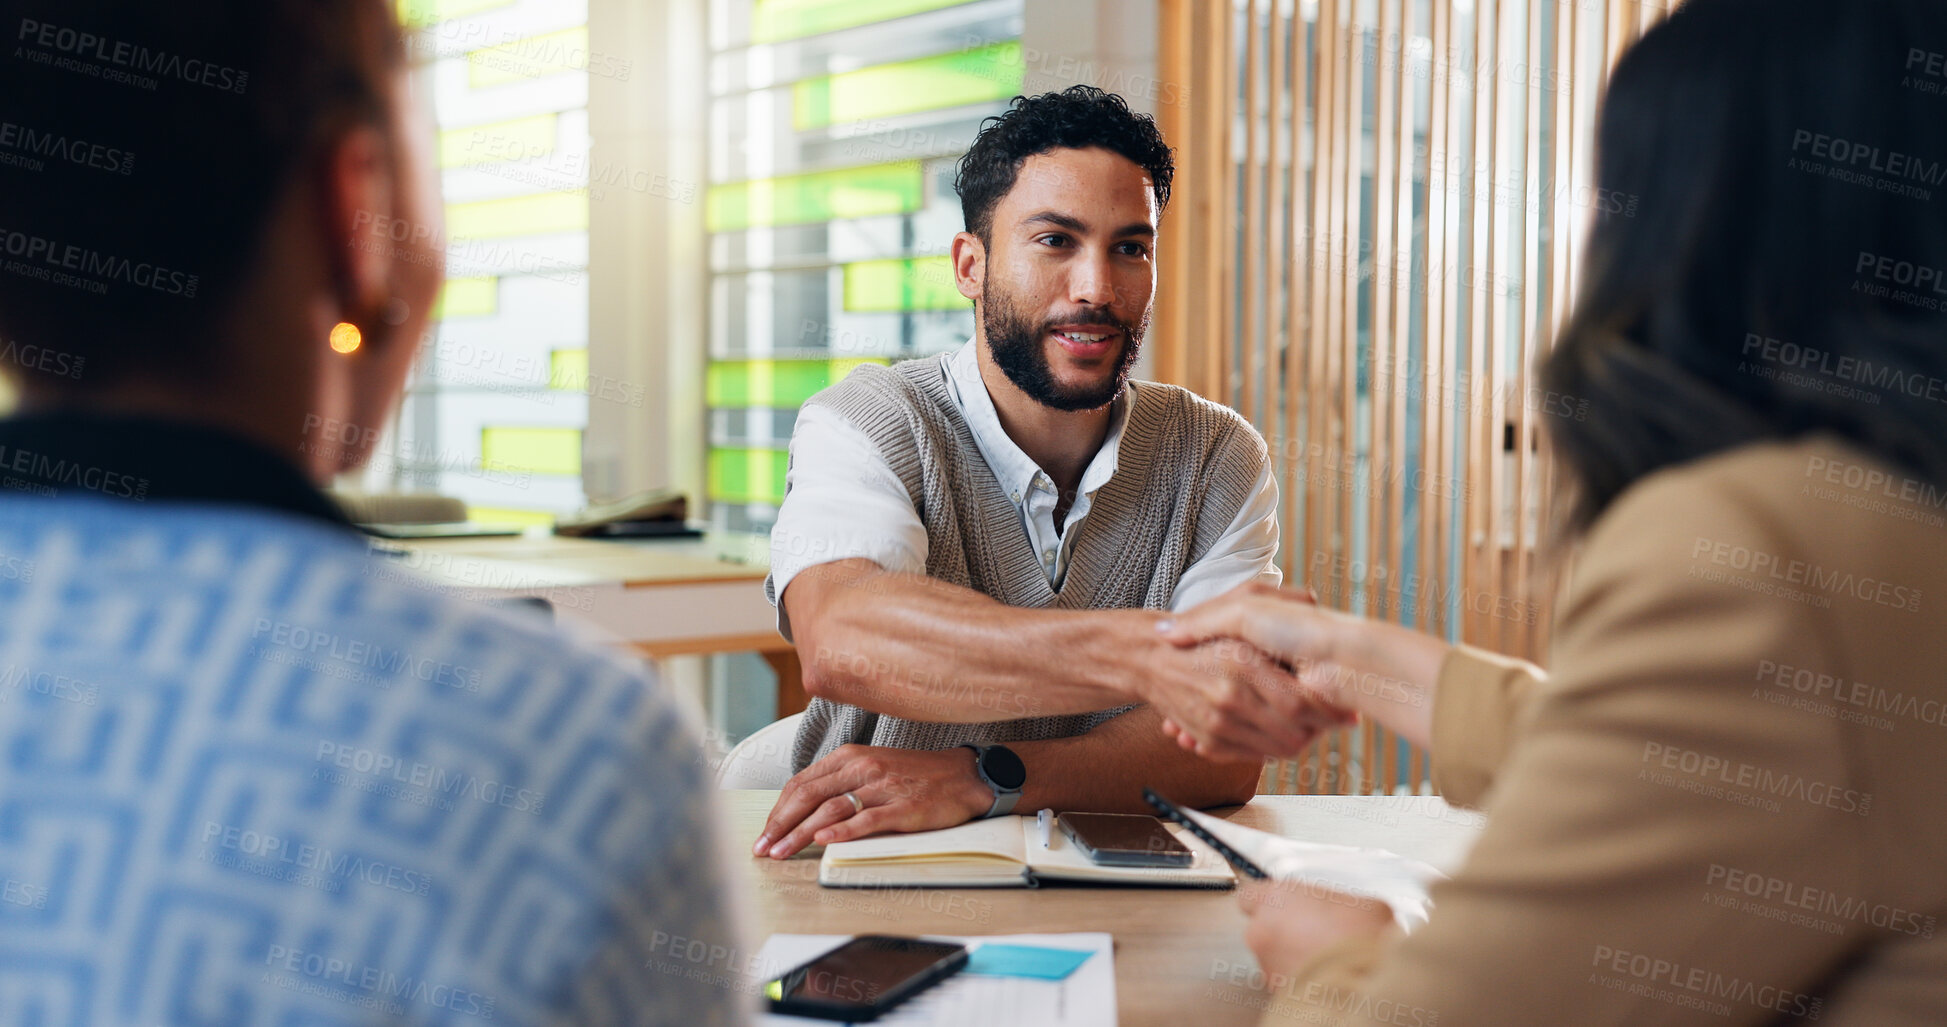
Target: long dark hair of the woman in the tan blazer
(1784, 270)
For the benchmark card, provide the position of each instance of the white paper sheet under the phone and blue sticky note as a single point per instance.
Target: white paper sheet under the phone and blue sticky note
(1085, 999)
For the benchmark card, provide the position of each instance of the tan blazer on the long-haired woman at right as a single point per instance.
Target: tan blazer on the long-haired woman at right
(1726, 804)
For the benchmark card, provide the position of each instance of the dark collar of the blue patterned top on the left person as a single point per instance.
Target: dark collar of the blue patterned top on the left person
(143, 459)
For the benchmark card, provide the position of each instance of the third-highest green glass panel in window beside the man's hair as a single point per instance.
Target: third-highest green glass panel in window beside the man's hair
(817, 196)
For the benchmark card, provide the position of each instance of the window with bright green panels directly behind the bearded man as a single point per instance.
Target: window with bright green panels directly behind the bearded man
(832, 141)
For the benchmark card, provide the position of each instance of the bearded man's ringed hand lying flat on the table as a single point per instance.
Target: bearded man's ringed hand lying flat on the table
(899, 790)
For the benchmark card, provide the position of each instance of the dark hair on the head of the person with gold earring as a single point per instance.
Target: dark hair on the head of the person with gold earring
(143, 151)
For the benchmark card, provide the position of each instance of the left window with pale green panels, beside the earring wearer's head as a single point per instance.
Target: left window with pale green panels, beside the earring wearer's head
(497, 402)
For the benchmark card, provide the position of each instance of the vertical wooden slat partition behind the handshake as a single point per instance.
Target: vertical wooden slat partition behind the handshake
(1378, 225)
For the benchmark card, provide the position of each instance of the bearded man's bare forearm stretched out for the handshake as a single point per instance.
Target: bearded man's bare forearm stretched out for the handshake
(932, 652)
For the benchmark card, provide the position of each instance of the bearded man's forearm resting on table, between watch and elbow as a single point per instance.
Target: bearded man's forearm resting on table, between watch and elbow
(1109, 769)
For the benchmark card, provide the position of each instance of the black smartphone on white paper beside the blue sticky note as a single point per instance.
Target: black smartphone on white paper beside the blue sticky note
(865, 977)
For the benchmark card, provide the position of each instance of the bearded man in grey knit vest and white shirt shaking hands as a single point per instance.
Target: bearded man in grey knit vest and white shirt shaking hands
(974, 551)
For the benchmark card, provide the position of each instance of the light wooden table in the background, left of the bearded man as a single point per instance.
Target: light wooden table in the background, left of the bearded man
(669, 597)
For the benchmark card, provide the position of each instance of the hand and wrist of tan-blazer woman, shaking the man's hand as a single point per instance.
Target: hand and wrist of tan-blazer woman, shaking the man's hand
(1350, 664)
